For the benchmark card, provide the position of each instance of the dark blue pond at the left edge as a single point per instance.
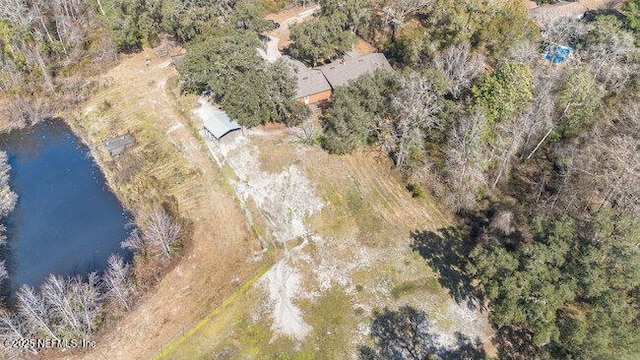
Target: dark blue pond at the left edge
(66, 221)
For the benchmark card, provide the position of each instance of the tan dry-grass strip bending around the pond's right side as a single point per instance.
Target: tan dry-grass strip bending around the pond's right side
(135, 98)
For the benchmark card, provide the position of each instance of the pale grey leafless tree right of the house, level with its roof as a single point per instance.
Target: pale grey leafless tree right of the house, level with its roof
(459, 66)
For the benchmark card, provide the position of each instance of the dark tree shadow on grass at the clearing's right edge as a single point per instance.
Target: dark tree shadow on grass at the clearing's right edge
(446, 251)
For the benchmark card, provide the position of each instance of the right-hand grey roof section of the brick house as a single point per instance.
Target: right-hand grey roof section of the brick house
(340, 72)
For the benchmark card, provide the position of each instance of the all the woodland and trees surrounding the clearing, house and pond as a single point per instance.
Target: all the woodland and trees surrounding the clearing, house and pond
(539, 161)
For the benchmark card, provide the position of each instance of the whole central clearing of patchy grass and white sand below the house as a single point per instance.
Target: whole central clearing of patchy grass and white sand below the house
(352, 259)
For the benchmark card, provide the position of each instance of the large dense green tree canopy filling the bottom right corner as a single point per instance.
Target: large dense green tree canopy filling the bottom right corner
(541, 284)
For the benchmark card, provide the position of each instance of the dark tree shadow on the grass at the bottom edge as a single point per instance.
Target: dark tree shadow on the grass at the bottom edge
(406, 334)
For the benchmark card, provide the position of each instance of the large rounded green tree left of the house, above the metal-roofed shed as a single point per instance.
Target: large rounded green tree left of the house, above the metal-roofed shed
(251, 90)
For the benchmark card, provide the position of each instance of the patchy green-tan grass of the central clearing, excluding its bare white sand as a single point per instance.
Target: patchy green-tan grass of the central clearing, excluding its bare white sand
(355, 262)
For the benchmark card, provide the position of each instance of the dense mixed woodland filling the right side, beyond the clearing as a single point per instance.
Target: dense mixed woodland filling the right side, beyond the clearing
(539, 160)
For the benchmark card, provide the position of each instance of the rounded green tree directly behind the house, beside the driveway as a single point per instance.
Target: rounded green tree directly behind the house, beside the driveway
(320, 39)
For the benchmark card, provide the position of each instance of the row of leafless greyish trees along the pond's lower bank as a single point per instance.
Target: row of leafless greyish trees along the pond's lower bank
(71, 308)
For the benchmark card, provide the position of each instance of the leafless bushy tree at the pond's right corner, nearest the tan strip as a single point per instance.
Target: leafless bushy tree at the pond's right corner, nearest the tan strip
(161, 232)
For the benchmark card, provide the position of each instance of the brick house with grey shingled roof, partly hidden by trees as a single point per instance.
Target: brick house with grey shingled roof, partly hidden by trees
(316, 84)
